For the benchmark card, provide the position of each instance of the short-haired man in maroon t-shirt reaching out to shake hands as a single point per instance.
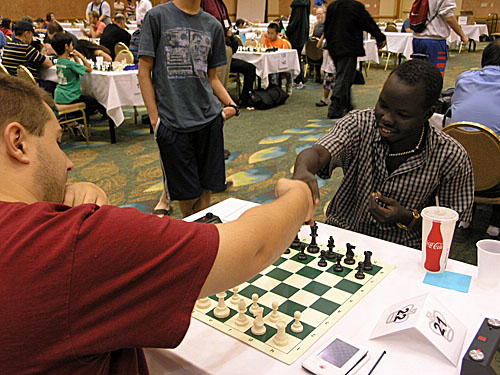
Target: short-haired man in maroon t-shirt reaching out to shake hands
(84, 288)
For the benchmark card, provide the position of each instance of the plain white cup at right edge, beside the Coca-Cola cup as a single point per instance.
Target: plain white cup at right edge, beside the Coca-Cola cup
(488, 262)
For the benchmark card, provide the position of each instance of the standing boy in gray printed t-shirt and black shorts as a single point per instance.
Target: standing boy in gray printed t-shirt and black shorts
(182, 46)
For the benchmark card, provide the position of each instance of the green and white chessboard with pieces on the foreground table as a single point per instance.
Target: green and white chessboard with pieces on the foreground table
(299, 281)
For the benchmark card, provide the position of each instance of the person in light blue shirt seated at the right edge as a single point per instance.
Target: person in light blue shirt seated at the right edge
(476, 99)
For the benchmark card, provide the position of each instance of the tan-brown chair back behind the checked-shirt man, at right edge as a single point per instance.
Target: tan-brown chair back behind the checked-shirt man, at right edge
(483, 147)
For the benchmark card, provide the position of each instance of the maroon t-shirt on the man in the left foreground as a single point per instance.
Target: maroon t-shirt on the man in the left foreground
(81, 289)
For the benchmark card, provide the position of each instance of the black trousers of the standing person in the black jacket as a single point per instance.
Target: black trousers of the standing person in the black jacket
(341, 93)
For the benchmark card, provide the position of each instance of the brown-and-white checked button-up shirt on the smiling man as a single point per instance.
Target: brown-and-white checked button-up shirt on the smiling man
(442, 169)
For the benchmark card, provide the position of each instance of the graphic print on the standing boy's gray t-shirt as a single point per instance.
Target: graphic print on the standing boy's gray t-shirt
(186, 53)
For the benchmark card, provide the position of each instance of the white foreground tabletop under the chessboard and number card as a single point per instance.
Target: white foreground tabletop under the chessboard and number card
(205, 350)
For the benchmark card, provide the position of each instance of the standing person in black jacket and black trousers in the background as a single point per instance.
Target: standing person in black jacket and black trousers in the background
(344, 25)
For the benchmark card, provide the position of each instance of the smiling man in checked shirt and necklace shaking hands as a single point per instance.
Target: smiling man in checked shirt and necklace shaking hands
(394, 162)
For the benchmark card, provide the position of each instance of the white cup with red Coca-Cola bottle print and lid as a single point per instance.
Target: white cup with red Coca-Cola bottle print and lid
(438, 225)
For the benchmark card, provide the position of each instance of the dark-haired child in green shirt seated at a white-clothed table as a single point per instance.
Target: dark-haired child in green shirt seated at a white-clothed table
(68, 89)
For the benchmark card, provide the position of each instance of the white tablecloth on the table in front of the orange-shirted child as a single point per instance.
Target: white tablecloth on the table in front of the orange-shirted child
(284, 60)
